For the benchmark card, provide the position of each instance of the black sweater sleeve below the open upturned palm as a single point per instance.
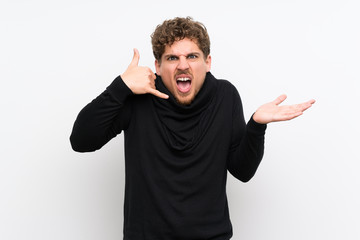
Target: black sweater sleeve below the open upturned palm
(247, 147)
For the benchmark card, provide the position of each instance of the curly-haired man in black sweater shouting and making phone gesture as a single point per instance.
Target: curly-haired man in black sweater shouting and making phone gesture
(184, 129)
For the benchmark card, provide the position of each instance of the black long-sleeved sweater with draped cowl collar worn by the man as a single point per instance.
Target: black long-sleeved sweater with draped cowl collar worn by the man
(176, 156)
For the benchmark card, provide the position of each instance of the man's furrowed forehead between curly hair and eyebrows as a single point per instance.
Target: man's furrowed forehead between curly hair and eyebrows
(182, 47)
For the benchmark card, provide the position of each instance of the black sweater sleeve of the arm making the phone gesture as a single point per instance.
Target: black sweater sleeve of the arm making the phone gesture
(103, 118)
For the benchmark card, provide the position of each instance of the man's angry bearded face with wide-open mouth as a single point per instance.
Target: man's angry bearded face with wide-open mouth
(183, 68)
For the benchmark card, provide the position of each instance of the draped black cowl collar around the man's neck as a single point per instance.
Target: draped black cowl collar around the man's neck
(185, 125)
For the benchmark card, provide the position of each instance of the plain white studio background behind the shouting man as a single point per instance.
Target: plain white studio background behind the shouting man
(56, 56)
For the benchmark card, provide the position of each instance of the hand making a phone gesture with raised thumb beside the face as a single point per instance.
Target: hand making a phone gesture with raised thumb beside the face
(141, 80)
